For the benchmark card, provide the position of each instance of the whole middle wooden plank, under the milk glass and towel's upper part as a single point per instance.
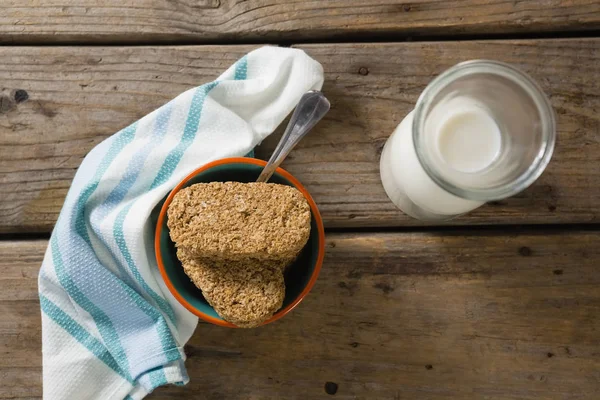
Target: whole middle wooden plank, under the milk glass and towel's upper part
(95, 91)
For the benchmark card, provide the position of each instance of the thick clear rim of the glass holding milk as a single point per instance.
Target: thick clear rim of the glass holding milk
(541, 102)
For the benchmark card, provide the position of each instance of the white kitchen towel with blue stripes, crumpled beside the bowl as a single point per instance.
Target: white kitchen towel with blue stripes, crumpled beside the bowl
(110, 328)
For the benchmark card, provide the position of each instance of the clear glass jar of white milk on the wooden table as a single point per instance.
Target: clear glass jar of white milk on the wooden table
(481, 131)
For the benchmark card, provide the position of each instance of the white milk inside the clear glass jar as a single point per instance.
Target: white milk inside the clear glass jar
(462, 139)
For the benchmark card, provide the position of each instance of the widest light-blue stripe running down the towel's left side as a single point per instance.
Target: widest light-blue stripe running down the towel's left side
(141, 318)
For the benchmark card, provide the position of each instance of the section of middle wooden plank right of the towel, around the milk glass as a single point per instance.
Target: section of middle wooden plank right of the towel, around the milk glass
(374, 86)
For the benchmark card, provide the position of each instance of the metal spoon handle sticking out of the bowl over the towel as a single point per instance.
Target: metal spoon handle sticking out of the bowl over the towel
(312, 107)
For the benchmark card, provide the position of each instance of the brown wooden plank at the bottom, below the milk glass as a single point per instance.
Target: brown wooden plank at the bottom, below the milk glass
(446, 315)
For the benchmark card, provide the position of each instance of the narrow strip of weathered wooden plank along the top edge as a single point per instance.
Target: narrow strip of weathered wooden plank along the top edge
(168, 21)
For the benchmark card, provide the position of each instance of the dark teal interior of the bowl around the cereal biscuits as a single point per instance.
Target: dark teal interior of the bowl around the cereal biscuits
(297, 275)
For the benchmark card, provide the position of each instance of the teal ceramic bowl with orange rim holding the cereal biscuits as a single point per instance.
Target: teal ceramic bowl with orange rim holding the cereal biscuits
(299, 277)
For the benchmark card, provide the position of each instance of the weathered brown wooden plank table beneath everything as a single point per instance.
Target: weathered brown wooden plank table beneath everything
(503, 303)
